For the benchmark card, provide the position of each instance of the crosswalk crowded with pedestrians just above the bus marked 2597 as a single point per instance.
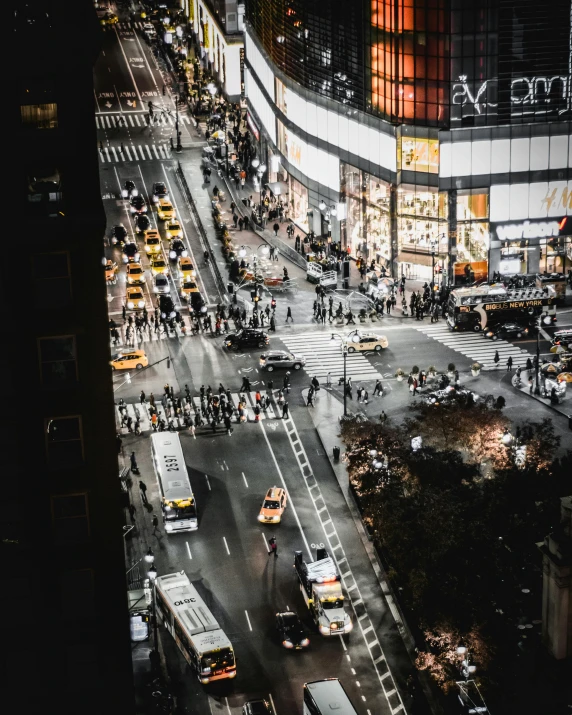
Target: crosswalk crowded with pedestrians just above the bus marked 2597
(140, 412)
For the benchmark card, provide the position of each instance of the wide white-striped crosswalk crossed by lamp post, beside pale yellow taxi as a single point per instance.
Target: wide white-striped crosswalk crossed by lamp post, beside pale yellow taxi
(324, 356)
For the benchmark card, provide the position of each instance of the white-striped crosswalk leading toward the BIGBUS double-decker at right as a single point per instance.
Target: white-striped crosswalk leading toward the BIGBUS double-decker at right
(476, 347)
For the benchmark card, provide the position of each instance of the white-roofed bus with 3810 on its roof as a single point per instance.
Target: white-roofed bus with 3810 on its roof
(201, 640)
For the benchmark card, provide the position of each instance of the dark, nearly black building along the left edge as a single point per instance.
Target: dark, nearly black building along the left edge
(65, 630)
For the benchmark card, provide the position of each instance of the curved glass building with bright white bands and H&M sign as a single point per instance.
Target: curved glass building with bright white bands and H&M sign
(419, 132)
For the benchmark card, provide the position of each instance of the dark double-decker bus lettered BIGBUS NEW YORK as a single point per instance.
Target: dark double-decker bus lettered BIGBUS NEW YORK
(485, 306)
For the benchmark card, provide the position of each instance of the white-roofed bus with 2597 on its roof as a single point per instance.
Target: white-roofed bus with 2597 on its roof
(177, 500)
